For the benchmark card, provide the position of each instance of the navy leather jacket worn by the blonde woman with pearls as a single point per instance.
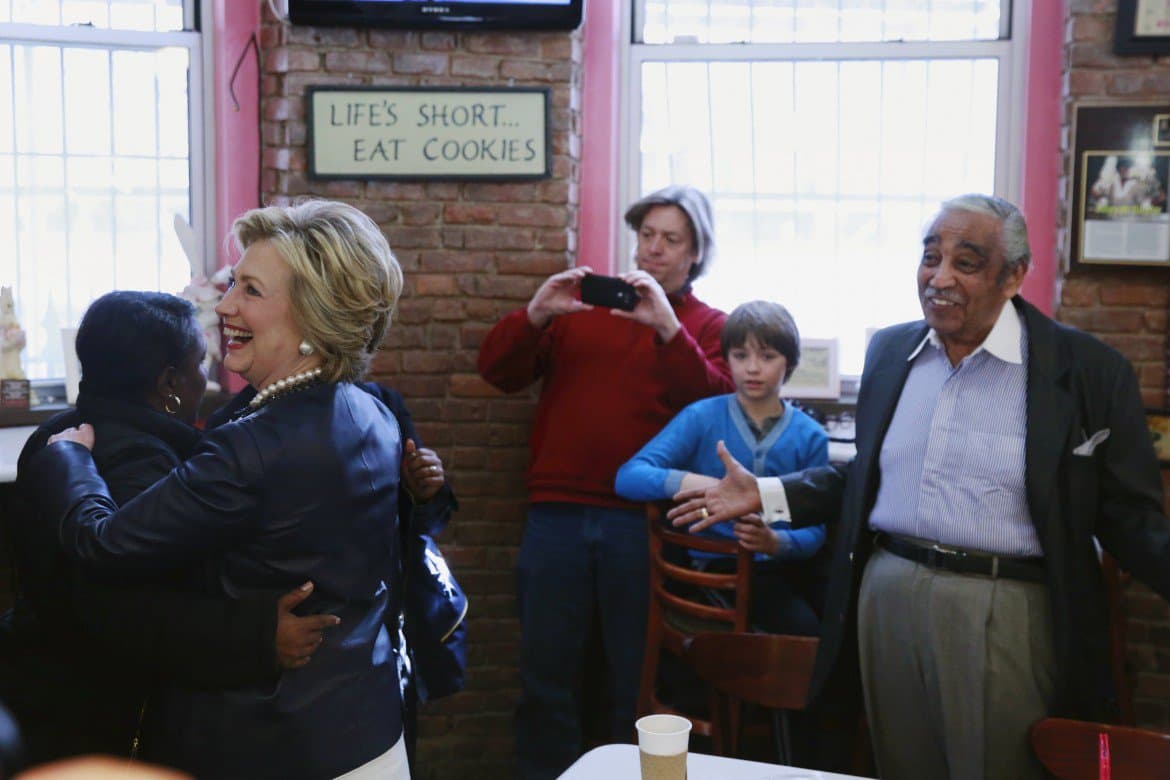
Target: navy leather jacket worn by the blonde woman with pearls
(304, 489)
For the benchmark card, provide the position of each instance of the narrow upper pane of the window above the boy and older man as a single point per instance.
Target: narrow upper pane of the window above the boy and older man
(818, 22)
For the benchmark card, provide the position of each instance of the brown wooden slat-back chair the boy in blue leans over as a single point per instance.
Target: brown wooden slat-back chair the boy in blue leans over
(679, 609)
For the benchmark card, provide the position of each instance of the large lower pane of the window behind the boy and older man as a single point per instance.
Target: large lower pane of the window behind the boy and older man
(822, 175)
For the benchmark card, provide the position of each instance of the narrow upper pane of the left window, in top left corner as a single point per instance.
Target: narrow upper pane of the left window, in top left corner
(147, 16)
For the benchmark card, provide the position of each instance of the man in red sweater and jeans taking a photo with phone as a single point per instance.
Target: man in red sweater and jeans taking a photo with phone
(612, 381)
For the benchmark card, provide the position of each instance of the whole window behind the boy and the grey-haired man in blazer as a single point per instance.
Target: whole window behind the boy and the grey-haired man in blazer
(827, 134)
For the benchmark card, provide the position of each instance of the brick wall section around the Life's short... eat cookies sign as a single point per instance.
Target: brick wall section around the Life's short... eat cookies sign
(471, 252)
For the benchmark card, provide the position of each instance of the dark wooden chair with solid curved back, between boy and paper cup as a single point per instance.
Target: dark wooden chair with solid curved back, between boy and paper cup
(772, 671)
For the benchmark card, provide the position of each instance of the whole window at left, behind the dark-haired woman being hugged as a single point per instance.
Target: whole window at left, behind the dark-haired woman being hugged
(100, 144)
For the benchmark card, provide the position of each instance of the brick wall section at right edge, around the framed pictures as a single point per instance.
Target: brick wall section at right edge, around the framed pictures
(1127, 308)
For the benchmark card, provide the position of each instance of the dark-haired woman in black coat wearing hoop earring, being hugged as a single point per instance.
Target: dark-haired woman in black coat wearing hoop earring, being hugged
(80, 654)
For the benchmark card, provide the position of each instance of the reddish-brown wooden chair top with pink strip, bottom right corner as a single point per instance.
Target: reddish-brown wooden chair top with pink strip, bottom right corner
(1072, 750)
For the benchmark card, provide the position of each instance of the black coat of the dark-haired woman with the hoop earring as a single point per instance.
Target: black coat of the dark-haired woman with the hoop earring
(79, 655)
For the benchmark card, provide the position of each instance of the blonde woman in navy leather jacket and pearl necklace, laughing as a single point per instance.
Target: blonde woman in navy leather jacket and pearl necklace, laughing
(302, 486)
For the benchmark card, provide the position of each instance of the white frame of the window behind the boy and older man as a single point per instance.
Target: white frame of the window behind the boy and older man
(1010, 51)
